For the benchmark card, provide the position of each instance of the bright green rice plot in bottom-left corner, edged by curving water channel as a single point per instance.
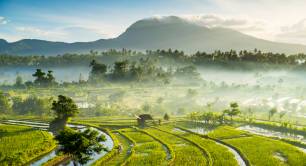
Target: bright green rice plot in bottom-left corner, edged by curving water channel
(20, 145)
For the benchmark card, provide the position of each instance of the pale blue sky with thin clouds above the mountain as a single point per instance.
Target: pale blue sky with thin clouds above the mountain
(89, 20)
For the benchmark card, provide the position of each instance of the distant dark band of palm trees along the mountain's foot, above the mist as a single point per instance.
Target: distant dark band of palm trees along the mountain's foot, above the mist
(198, 58)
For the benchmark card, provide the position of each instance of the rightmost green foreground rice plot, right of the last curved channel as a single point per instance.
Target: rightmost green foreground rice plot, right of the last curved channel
(260, 150)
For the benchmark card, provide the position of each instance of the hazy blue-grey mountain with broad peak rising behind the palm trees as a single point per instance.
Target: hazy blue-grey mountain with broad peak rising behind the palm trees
(157, 33)
